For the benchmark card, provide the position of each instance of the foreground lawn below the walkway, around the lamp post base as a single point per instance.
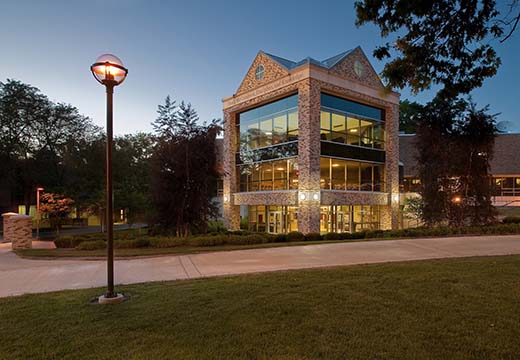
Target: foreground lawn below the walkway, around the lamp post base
(443, 309)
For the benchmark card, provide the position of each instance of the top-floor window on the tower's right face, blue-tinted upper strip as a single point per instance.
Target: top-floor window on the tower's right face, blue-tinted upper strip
(351, 123)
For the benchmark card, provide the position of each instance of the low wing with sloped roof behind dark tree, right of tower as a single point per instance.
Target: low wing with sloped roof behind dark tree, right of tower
(504, 168)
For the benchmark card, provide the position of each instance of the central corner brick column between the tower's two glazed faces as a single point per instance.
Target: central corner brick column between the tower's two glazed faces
(308, 155)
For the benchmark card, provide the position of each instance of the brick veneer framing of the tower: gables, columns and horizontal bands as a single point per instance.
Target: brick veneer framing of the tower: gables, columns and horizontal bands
(309, 90)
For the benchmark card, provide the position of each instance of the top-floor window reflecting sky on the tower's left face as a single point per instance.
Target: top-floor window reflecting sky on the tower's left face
(269, 125)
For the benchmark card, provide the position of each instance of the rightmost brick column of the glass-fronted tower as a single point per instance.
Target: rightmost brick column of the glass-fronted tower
(390, 213)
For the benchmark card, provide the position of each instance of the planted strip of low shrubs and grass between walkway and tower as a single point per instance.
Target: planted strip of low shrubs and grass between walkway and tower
(139, 242)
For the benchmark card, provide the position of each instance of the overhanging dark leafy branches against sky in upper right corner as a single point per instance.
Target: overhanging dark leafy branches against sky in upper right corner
(441, 42)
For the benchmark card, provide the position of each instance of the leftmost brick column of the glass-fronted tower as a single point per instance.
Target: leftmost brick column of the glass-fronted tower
(231, 211)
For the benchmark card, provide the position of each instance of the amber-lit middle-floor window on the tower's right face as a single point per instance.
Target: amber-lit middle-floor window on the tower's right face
(338, 174)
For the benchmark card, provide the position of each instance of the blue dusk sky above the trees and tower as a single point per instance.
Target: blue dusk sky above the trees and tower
(197, 51)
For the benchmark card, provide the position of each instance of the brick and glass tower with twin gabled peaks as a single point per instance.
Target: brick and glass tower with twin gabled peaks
(311, 146)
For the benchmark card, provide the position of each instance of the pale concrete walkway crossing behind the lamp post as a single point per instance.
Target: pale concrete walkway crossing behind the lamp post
(19, 276)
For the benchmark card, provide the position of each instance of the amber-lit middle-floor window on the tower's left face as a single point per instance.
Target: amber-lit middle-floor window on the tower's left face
(269, 175)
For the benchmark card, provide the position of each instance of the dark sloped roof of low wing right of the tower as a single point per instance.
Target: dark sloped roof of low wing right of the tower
(505, 160)
